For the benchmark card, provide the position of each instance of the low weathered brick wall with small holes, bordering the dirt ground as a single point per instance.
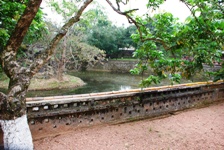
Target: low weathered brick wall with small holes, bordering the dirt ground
(52, 115)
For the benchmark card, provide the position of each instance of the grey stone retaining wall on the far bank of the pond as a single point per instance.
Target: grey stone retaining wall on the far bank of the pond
(114, 66)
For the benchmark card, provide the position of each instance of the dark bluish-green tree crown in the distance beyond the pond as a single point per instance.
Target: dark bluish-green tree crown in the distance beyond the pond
(109, 37)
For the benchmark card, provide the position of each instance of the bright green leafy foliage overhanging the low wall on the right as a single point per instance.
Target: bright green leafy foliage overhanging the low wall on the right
(175, 50)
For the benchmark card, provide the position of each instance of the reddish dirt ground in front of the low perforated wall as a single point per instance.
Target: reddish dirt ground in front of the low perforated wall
(196, 129)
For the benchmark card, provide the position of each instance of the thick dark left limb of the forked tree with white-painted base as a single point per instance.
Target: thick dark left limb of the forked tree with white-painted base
(8, 56)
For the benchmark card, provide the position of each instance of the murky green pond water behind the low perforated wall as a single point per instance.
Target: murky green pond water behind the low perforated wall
(99, 82)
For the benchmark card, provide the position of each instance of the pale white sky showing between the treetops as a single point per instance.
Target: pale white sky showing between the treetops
(177, 8)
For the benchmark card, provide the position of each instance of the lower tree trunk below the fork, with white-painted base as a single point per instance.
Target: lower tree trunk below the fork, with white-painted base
(16, 132)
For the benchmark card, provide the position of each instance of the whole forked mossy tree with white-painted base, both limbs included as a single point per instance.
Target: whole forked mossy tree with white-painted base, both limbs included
(13, 104)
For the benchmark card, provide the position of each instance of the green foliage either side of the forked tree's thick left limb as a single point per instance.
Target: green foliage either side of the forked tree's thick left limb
(10, 12)
